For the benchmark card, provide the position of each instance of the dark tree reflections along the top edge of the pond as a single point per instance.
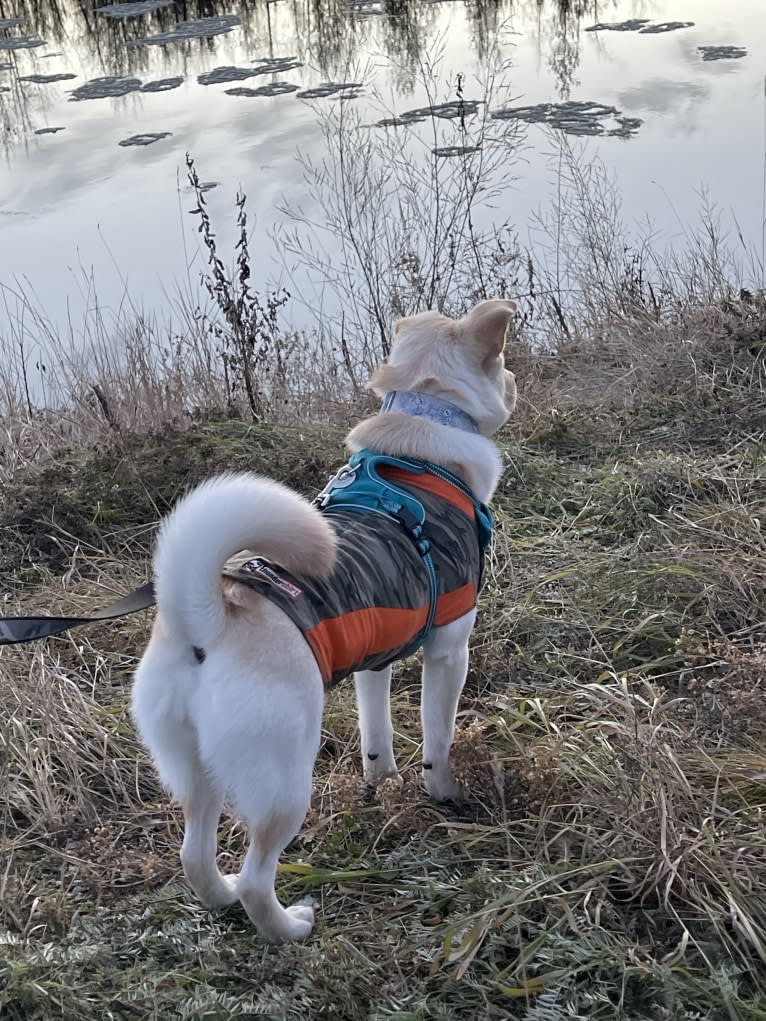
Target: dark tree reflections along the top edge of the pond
(331, 35)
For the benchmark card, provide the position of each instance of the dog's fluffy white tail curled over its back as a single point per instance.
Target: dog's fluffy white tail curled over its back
(216, 521)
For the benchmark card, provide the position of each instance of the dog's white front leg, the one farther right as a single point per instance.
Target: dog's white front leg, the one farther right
(445, 669)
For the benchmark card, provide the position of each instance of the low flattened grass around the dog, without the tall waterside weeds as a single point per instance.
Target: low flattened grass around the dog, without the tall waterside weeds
(610, 862)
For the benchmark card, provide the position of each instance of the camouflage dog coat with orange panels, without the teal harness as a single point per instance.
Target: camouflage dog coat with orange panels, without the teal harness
(373, 610)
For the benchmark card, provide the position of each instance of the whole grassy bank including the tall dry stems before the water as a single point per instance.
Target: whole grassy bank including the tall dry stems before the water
(610, 862)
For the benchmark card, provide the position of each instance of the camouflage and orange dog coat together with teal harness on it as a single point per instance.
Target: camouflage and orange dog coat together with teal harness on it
(411, 547)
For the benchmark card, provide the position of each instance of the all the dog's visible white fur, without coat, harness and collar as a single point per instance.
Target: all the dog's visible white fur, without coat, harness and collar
(245, 724)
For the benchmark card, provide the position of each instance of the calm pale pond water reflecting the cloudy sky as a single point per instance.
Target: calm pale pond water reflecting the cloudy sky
(88, 193)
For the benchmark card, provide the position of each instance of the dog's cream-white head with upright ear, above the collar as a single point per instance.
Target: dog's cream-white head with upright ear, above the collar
(460, 361)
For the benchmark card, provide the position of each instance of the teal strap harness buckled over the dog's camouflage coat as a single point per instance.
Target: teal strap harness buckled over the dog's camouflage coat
(359, 487)
